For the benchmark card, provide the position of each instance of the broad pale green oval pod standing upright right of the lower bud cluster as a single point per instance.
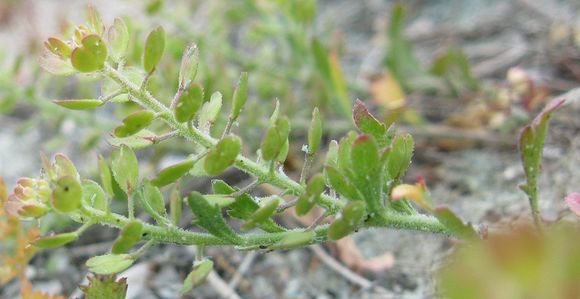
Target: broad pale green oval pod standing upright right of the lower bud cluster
(125, 168)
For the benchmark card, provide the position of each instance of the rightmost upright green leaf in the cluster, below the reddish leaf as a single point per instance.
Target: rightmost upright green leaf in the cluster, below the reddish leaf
(399, 157)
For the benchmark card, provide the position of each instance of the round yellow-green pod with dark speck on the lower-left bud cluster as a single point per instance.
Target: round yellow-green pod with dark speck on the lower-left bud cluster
(67, 194)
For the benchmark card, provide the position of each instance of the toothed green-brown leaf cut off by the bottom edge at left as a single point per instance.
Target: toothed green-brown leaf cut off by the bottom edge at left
(105, 286)
